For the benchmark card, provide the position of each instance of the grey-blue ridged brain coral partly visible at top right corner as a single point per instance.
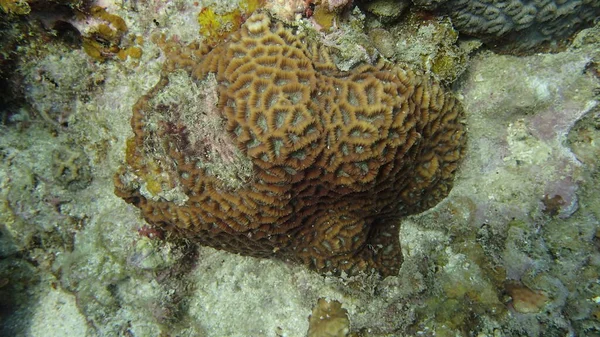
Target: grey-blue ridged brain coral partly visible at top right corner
(525, 23)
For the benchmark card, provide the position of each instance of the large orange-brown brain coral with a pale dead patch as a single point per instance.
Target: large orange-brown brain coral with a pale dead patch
(262, 147)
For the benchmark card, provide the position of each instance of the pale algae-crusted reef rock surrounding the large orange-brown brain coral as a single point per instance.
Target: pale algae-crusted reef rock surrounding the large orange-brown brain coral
(511, 251)
